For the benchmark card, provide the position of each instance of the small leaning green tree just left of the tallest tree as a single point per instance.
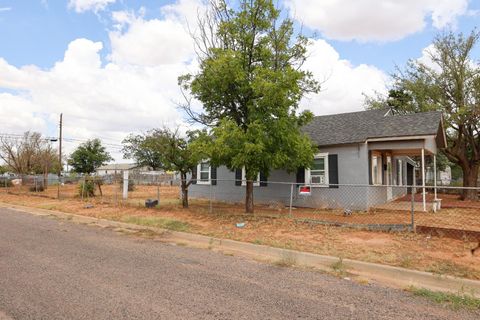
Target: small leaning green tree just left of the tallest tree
(173, 153)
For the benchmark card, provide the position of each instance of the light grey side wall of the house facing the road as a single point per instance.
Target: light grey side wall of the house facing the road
(352, 170)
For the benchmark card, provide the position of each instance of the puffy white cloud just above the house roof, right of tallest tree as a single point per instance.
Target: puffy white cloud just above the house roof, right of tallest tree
(344, 84)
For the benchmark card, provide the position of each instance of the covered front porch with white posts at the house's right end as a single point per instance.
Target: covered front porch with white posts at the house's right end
(395, 166)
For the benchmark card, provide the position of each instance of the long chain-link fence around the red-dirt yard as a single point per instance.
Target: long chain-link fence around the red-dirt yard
(440, 211)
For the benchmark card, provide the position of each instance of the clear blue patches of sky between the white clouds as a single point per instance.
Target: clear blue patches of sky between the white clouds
(37, 32)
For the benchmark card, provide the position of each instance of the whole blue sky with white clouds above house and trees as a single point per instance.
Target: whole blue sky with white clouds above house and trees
(111, 66)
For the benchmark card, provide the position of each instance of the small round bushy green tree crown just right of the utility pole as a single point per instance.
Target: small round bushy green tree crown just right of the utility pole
(89, 156)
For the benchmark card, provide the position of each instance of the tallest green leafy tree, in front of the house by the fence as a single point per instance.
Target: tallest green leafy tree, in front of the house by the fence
(250, 83)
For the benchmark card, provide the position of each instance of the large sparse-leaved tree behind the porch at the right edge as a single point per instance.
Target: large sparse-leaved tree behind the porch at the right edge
(450, 83)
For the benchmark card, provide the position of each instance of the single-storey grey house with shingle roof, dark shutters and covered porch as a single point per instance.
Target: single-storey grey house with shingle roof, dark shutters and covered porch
(364, 159)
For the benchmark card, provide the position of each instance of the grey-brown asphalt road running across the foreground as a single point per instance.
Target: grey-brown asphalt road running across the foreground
(51, 269)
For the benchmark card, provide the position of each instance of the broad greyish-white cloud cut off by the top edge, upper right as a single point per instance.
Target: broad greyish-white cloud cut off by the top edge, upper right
(375, 20)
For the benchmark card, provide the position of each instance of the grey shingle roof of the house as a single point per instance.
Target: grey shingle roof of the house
(357, 127)
